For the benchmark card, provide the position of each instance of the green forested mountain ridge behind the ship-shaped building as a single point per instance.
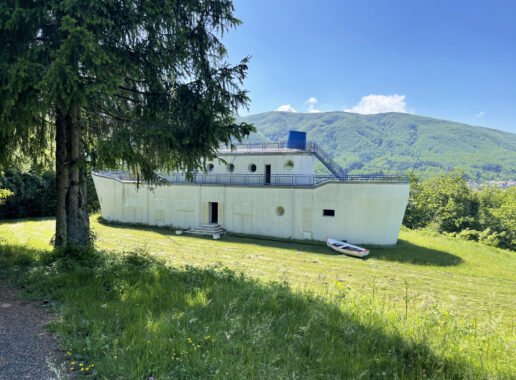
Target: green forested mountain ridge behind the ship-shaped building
(391, 142)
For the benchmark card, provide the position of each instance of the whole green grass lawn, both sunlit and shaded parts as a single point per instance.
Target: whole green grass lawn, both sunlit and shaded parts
(432, 307)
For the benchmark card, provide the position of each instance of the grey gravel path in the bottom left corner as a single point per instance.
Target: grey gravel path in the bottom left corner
(27, 350)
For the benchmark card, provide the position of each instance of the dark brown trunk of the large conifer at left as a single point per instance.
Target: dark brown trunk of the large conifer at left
(72, 221)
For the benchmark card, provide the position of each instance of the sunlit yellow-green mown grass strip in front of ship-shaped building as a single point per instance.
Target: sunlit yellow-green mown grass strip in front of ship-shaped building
(465, 275)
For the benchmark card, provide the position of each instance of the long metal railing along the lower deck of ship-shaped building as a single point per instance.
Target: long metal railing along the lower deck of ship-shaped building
(265, 180)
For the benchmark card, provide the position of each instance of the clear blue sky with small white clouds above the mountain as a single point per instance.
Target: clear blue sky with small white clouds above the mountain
(452, 60)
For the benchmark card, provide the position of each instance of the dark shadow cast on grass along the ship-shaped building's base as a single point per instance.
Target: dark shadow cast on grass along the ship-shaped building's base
(403, 252)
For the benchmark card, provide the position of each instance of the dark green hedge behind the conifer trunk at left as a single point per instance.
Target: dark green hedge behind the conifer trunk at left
(34, 195)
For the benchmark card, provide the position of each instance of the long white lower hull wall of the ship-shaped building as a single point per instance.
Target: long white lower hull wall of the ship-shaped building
(368, 213)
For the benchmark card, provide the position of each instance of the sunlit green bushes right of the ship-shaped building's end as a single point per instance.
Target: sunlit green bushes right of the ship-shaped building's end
(448, 205)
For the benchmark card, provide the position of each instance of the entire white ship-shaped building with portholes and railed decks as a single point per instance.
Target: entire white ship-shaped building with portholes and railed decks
(265, 189)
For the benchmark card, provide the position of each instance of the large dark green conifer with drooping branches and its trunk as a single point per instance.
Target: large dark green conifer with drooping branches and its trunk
(138, 84)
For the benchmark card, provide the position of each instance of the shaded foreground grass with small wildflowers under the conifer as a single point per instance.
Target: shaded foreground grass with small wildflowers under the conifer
(136, 306)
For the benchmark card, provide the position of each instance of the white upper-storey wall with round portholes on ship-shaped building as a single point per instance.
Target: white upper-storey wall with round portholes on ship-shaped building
(303, 163)
